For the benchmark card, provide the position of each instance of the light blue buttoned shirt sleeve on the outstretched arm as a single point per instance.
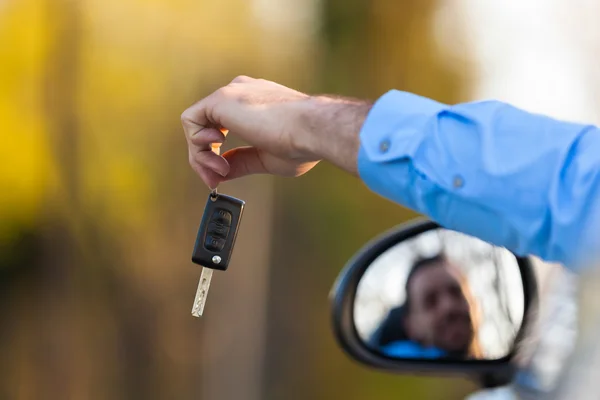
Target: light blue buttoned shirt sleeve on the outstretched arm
(523, 181)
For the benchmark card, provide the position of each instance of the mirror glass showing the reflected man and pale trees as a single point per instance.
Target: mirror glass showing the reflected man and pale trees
(441, 294)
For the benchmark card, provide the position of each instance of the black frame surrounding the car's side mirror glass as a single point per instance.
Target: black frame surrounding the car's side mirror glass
(488, 373)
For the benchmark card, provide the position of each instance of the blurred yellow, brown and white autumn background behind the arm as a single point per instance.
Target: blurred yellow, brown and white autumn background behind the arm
(99, 207)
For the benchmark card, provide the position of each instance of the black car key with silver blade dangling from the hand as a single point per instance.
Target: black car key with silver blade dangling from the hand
(215, 240)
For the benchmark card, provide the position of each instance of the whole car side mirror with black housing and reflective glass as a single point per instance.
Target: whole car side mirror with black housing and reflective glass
(424, 299)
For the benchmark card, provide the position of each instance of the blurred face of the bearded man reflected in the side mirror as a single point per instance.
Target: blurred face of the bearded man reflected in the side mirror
(439, 313)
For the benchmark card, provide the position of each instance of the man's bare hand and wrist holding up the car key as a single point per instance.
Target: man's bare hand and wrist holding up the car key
(288, 131)
